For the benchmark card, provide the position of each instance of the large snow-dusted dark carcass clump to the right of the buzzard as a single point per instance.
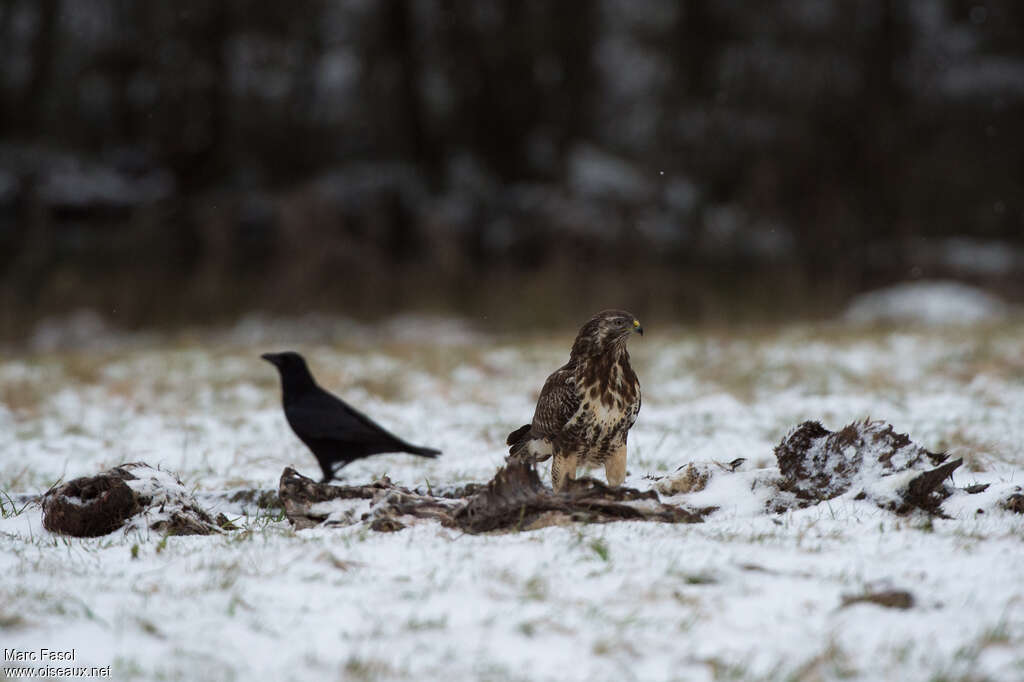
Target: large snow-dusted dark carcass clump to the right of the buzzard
(818, 464)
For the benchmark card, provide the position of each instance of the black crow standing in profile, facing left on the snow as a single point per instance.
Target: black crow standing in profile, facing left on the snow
(336, 433)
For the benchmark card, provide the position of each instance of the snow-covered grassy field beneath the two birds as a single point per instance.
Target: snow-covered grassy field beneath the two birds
(746, 595)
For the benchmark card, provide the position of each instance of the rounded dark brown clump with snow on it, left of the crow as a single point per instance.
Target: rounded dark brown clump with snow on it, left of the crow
(134, 496)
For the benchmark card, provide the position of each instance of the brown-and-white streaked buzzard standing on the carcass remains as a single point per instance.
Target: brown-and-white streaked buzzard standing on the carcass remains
(587, 407)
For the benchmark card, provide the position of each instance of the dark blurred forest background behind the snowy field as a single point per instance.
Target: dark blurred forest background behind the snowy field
(184, 162)
